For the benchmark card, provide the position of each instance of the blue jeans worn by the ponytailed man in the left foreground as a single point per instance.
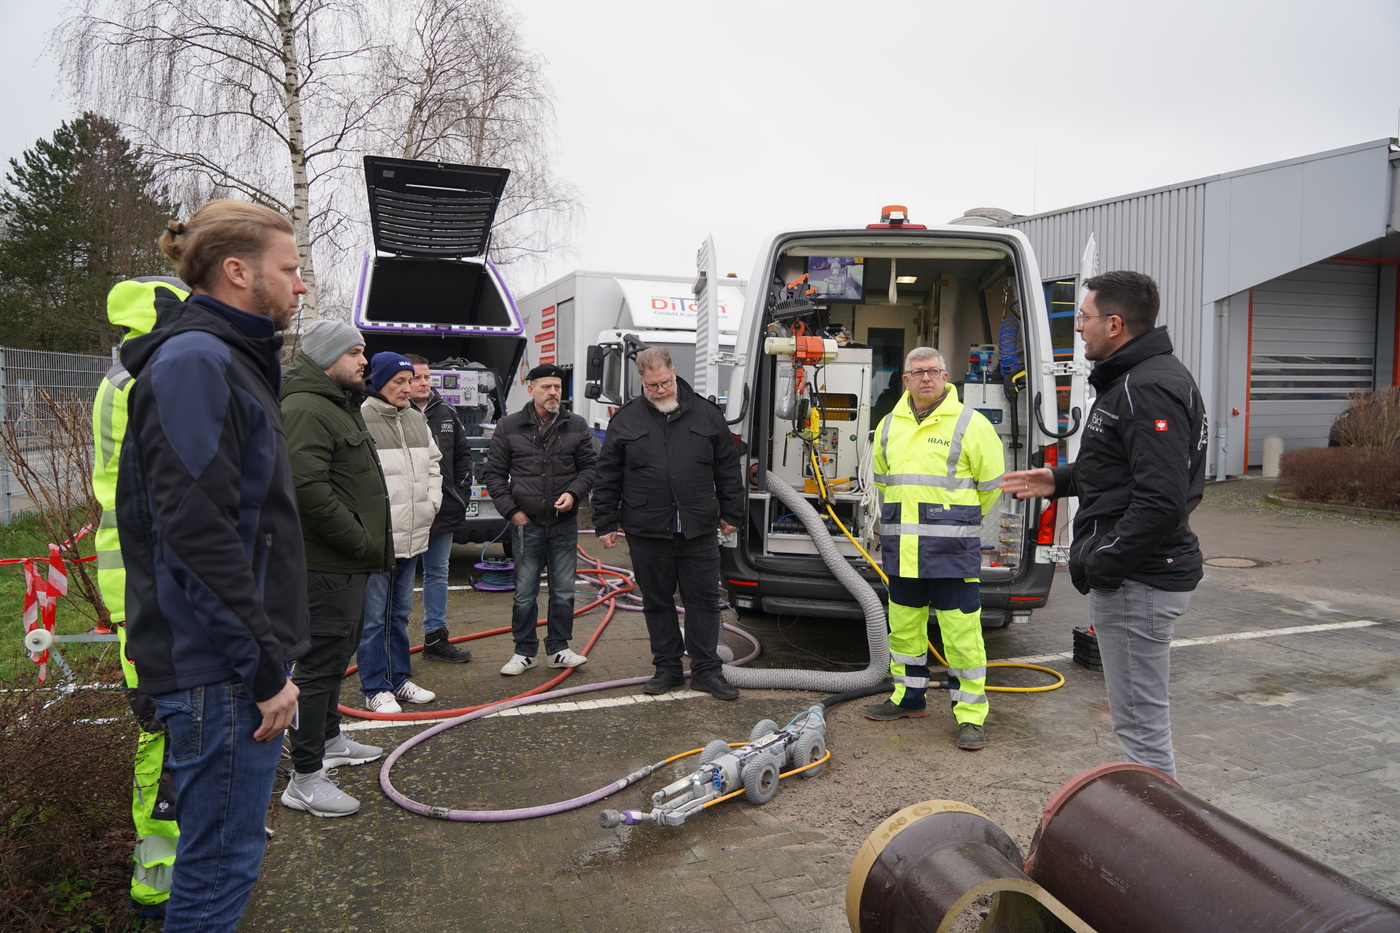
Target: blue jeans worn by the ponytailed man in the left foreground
(223, 782)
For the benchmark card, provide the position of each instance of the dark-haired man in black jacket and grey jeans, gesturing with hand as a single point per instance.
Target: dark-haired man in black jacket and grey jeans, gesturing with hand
(1140, 473)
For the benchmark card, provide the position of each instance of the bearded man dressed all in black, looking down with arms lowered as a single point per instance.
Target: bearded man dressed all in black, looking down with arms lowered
(670, 476)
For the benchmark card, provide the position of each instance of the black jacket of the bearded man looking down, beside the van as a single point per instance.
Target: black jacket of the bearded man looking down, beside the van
(654, 466)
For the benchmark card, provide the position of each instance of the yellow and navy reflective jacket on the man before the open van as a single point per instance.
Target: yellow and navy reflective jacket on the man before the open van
(937, 480)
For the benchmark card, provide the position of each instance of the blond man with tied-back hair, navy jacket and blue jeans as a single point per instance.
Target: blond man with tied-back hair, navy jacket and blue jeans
(216, 576)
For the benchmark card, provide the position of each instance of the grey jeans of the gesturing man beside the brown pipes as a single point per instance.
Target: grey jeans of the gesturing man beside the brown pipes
(1135, 628)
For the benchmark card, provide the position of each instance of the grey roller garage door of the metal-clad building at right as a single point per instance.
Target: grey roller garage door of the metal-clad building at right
(1312, 343)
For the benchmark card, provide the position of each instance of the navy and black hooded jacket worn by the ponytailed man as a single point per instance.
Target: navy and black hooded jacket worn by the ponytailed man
(216, 575)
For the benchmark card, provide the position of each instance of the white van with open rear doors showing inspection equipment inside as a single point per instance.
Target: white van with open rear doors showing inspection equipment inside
(829, 319)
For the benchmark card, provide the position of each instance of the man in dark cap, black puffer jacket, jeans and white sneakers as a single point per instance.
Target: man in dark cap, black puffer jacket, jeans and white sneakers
(540, 467)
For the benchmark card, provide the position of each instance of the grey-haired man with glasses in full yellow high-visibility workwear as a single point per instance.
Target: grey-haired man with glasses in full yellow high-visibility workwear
(937, 466)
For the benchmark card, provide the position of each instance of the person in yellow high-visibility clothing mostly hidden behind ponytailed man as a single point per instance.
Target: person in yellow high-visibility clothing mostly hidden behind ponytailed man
(132, 306)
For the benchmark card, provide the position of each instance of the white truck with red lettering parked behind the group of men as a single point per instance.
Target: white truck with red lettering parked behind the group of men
(600, 319)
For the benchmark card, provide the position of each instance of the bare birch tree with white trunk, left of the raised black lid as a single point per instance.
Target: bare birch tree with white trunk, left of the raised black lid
(255, 97)
